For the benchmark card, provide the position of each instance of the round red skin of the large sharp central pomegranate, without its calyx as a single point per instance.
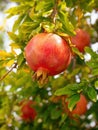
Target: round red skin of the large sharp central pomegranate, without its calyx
(49, 52)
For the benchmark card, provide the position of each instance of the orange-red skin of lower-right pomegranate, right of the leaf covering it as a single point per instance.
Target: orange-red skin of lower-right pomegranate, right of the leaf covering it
(81, 106)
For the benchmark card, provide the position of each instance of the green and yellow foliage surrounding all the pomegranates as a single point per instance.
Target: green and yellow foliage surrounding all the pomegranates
(61, 17)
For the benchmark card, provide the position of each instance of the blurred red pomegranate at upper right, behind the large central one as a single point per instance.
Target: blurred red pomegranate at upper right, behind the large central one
(81, 39)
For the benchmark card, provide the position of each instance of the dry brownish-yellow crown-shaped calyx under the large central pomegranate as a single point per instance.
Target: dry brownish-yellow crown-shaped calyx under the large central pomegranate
(41, 75)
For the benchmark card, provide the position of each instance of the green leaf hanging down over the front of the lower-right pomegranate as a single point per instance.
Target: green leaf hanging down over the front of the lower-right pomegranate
(73, 100)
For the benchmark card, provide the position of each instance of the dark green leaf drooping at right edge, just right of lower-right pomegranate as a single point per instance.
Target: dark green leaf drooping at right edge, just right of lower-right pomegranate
(92, 94)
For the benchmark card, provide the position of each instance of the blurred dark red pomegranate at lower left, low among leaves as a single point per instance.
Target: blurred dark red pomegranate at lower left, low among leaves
(28, 112)
